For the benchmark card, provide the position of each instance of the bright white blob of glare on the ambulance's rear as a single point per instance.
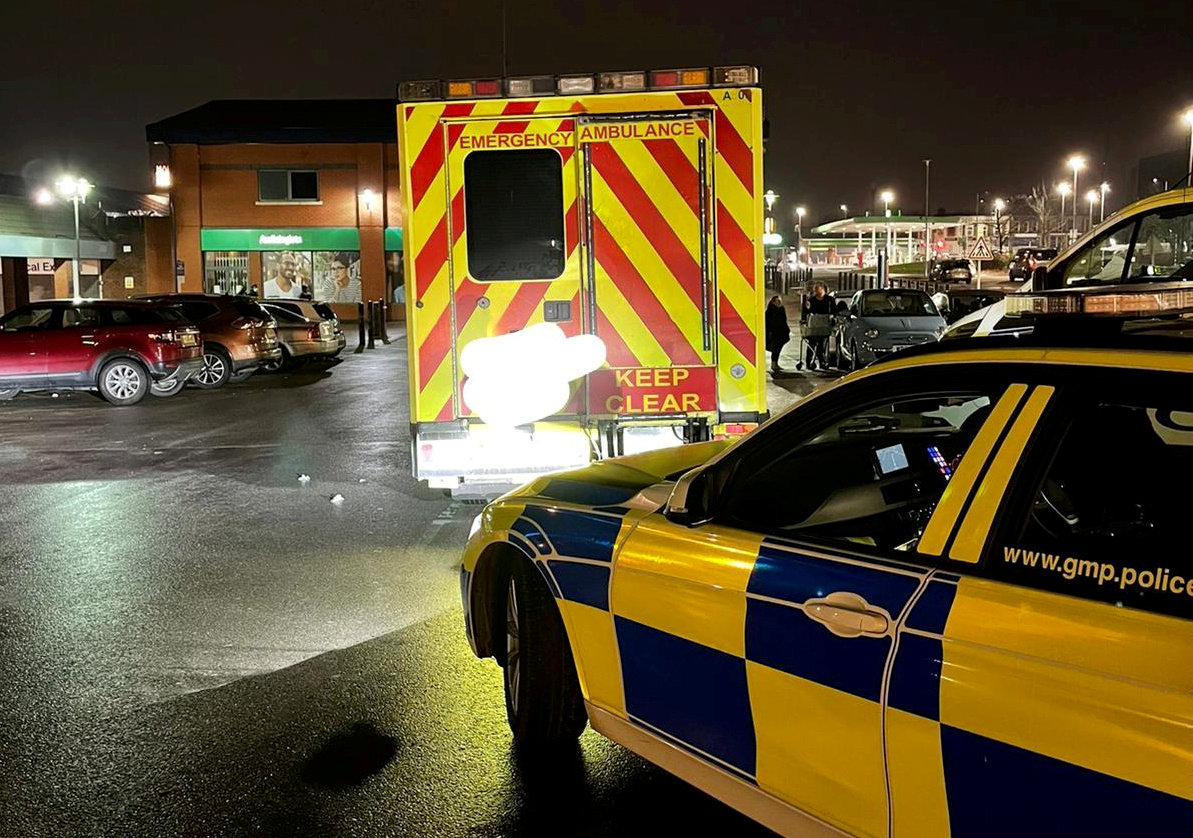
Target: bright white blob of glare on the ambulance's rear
(524, 377)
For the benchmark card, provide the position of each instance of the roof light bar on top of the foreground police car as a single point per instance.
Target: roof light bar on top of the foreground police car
(1170, 299)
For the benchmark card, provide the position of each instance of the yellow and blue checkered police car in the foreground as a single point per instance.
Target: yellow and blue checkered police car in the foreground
(950, 595)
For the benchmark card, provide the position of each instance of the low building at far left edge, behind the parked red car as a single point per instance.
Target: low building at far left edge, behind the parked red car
(125, 244)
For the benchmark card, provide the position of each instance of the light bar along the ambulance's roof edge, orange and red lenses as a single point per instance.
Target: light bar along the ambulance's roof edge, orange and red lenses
(578, 84)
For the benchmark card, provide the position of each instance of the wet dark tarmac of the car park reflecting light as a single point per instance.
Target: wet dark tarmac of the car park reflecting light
(196, 643)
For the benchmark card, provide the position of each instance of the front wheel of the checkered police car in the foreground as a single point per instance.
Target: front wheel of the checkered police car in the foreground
(543, 701)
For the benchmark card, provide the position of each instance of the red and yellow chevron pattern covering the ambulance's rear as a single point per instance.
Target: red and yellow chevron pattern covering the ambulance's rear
(645, 221)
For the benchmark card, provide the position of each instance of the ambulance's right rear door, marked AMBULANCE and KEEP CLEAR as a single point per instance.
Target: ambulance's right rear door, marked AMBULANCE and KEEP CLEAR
(650, 279)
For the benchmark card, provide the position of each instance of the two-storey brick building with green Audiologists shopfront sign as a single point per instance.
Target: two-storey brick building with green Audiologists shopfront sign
(286, 198)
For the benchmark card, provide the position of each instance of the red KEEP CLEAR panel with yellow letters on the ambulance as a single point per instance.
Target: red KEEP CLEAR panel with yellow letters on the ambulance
(653, 391)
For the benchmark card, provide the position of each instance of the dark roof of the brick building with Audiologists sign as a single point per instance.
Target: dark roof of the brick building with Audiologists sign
(283, 121)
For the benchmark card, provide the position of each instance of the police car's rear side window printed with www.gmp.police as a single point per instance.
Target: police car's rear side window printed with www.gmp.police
(1104, 522)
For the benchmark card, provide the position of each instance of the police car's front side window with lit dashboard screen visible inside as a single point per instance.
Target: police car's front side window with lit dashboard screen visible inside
(870, 479)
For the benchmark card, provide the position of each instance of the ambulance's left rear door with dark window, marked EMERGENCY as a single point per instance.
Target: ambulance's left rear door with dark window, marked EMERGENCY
(514, 231)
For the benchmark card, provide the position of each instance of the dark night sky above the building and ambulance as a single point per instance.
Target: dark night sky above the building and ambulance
(857, 94)
